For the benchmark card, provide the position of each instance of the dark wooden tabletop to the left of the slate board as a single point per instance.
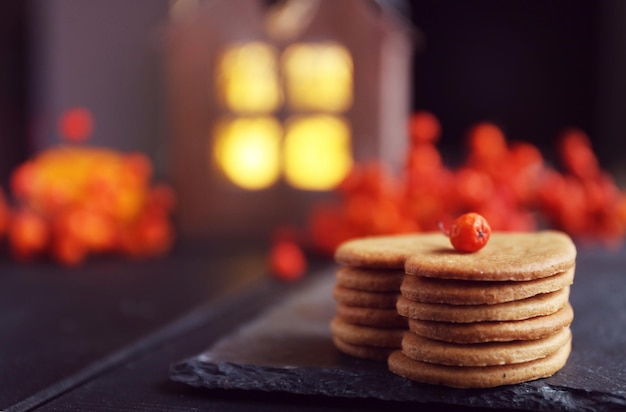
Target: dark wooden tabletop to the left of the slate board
(62, 330)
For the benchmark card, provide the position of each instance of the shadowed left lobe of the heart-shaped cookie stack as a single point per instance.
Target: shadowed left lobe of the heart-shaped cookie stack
(367, 324)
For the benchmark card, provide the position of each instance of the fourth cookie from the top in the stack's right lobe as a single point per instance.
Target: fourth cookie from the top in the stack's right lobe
(532, 328)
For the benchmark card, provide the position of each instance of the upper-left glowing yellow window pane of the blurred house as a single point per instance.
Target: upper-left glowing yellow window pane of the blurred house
(247, 78)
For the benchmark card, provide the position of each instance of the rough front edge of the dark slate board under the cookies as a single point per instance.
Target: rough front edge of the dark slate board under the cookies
(535, 395)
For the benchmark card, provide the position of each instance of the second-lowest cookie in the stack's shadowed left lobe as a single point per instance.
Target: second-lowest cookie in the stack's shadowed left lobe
(365, 335)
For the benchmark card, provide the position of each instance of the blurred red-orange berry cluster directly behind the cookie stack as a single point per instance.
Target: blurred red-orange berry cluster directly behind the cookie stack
(509, 183)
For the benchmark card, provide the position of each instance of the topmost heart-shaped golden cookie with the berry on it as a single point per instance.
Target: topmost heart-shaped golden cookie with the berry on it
(507, 256)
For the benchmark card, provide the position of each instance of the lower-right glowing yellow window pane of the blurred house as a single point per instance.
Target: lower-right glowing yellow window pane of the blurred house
(317, 153)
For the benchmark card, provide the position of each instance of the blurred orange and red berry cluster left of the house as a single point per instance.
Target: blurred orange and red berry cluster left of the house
(71, 202)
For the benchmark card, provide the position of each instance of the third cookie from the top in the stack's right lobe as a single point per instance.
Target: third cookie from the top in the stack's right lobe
(539, 305)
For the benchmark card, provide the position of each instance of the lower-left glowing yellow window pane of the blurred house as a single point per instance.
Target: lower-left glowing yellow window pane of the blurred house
(248, 150)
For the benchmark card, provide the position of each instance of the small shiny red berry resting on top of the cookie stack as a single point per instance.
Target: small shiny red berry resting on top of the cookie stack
(469, 232)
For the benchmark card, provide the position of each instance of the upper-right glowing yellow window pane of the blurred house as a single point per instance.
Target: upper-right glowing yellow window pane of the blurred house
(318, 76)
